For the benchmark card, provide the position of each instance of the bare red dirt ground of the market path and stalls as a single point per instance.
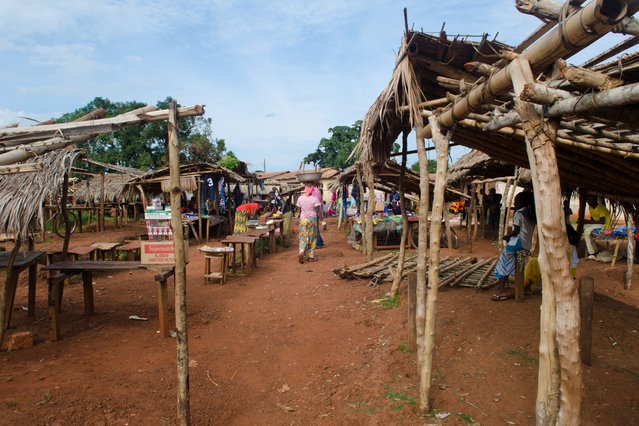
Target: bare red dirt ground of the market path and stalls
(293, 344)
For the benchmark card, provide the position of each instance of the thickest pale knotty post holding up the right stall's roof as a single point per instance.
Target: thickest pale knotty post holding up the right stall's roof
(553, 240)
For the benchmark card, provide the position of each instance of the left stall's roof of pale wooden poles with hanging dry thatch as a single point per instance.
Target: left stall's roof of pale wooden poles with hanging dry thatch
(35, 159)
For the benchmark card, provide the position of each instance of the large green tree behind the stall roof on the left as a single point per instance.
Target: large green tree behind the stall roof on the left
(144, 146)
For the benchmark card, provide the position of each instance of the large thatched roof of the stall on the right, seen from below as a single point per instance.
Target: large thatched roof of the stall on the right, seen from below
(597, 148)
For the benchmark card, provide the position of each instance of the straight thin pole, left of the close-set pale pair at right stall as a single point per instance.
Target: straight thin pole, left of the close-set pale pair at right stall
(422, 250)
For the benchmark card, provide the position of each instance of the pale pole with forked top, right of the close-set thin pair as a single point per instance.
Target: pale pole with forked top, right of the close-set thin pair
(441, 145)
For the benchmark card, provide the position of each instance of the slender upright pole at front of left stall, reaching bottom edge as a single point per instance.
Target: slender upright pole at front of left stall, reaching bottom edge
(183, 404)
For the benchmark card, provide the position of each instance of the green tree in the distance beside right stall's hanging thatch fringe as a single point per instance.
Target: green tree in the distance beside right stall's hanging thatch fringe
(335, 150)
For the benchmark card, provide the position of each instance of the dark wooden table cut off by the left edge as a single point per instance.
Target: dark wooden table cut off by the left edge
(24, 260)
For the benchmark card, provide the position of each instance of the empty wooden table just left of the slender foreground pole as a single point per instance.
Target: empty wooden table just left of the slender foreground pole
(86, 269)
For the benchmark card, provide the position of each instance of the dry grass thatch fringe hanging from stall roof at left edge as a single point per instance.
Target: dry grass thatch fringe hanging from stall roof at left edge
(22, 196)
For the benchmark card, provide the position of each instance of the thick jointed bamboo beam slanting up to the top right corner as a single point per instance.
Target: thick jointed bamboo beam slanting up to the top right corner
(578, 30)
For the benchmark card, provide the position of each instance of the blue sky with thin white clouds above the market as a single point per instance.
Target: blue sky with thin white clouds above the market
(274, 75)
